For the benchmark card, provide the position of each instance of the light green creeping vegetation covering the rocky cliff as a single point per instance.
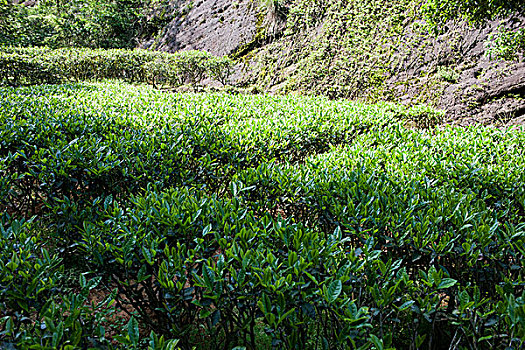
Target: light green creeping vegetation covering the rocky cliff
(374, 49)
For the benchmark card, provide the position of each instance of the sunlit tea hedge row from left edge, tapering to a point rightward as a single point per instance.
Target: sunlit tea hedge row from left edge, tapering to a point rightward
(94, 145)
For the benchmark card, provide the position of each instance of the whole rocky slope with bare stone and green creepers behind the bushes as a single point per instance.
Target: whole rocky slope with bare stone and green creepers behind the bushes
(356, 49)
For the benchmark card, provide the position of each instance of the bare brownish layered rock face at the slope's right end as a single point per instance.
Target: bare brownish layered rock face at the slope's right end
(486, 90)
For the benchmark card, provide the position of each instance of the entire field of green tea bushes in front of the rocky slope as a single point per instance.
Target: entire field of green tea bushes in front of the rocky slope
(134, 218)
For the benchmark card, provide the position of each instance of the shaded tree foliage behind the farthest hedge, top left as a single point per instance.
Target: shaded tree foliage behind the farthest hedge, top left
(84, 23)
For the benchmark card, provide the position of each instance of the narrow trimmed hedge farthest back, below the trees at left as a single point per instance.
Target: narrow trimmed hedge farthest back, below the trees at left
(30, 66)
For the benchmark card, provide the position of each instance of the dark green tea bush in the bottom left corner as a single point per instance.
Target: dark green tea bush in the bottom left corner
(35, 310)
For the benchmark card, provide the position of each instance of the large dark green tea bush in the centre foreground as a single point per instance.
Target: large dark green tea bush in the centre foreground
(206, 261)
